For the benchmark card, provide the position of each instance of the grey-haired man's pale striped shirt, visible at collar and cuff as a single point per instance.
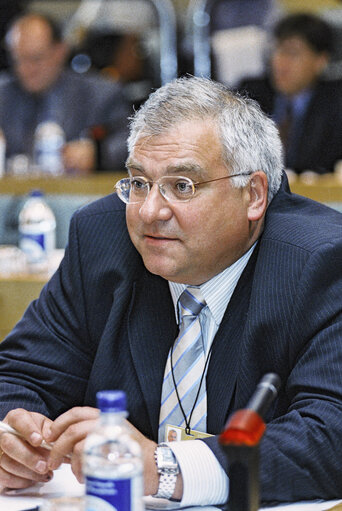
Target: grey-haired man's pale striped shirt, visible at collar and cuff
(204, 480)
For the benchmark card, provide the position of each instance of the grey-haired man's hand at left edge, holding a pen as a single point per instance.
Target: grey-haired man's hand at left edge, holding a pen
(22, 461)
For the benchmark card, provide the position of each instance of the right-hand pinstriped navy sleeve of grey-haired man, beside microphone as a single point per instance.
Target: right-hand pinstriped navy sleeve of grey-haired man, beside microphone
(301, 451)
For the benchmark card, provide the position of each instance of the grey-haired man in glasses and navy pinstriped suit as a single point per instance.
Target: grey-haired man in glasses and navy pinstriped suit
(206, 207)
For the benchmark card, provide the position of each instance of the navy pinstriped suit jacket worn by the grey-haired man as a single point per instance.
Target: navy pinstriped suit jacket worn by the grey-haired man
(103, 321)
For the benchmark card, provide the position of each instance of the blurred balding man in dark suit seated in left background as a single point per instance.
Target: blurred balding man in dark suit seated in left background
(39, 89)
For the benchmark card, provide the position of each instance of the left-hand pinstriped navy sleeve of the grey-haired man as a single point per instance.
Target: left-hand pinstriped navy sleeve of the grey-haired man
(45, 361)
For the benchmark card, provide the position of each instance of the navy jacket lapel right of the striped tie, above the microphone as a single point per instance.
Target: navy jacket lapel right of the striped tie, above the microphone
(223, 370)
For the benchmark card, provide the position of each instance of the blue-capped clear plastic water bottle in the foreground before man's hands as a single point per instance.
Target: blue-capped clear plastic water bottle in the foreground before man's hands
(112, 463)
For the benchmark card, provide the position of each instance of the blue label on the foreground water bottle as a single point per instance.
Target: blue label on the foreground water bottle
(109, 494)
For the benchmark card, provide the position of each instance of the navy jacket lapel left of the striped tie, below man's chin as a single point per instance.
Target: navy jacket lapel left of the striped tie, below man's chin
(151, 334)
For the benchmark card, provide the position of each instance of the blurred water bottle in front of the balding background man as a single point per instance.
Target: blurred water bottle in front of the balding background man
(49, 139)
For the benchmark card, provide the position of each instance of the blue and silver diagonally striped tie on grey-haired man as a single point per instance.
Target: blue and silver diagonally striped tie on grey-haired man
(188, 362)
